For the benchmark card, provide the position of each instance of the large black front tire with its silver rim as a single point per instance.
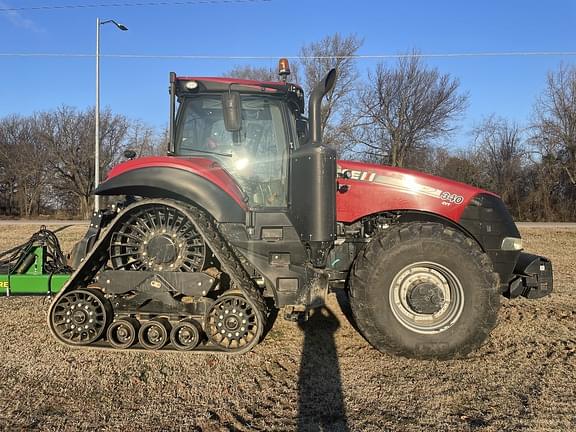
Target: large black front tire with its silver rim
(423, 290)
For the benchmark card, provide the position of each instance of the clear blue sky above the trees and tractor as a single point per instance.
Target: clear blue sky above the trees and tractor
(137, 88)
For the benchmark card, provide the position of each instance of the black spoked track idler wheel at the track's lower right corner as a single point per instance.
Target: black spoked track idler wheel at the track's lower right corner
(234, 324)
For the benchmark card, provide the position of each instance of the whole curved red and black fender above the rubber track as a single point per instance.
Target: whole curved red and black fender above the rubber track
(198, 181)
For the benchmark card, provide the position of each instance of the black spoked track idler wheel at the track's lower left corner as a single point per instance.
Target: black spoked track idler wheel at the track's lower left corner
(80, 317)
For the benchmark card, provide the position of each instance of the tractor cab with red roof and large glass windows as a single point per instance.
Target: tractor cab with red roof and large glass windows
(248, 127)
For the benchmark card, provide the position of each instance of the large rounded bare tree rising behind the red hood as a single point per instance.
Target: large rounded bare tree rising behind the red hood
(402, 110)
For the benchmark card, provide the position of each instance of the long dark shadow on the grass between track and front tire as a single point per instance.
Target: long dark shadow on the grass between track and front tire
(320, 397)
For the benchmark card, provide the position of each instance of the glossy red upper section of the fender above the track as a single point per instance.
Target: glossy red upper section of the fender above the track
(207, 168)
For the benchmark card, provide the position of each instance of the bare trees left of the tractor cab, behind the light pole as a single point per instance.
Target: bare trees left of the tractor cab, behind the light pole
(47, 159)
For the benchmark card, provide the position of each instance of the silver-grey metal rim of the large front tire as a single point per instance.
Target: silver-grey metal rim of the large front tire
(426, 297)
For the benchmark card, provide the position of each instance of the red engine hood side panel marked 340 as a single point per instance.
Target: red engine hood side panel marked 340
(376, 188)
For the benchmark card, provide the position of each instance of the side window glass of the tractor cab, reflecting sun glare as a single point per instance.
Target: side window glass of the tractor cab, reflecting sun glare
(255, 155)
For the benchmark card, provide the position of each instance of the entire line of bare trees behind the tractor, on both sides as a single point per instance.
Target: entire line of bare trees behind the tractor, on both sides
(398, 113)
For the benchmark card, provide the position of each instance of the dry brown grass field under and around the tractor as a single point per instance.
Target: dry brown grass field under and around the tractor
(323, 376)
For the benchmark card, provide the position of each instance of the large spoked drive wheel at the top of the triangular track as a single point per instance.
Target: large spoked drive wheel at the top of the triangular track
(157, 238)
